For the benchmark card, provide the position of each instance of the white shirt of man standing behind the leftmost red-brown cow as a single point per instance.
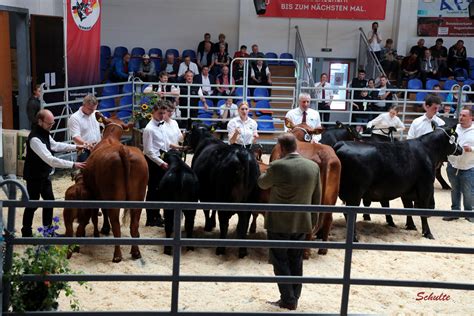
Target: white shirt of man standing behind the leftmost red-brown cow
(84, 126)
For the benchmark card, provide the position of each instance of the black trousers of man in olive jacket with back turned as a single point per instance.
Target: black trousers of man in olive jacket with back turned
(287, 262)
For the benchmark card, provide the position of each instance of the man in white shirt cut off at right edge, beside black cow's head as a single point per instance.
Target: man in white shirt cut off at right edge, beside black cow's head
(461, 168)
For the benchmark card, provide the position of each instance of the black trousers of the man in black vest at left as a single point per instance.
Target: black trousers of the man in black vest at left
(37, 188)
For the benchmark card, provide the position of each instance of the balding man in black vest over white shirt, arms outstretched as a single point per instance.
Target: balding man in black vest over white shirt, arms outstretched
(39, 163)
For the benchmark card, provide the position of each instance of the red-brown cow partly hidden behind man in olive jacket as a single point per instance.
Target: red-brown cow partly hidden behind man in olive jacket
(330, 167)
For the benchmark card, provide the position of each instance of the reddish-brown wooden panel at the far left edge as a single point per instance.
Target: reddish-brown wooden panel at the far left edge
(6, 73)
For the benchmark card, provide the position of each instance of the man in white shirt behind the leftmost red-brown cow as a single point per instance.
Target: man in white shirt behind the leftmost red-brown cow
(84, 128)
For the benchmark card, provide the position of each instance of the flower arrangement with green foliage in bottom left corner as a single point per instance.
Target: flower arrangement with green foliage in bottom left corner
(43, 260)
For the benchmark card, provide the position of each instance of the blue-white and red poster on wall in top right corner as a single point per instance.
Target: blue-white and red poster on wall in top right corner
(444, 18)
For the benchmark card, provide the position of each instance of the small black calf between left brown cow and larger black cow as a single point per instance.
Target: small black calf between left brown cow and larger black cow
(179, 184)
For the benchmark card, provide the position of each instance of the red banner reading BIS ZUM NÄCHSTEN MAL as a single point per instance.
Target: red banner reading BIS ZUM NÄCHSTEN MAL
(327, 9)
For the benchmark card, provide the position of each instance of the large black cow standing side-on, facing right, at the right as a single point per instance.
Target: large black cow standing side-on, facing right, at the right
(384, 171)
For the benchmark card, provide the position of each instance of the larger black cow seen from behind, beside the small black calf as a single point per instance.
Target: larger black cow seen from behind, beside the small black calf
(226, 174)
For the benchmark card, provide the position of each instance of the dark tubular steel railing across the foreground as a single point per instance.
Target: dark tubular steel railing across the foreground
(178, 242)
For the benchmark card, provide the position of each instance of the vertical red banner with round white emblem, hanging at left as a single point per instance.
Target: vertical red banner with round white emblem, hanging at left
(83, 42)
